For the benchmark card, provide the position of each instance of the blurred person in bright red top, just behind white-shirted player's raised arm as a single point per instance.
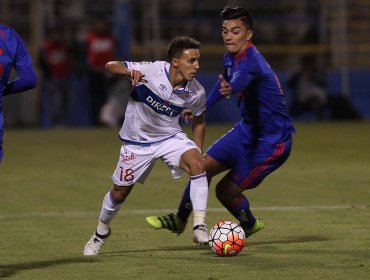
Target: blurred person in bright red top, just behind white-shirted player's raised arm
(100, 48)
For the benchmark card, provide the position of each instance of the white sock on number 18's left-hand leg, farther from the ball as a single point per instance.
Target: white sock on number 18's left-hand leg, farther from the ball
(107, 213)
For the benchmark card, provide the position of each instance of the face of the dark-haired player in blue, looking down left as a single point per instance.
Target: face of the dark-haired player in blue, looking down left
(236, 36)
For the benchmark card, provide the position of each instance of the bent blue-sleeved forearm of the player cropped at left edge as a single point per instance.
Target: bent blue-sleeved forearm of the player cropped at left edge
(27, 80)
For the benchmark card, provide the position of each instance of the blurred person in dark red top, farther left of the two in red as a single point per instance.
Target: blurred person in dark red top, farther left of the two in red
(55, 64)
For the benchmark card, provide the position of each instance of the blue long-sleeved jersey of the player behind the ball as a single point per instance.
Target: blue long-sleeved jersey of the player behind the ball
(260, 97)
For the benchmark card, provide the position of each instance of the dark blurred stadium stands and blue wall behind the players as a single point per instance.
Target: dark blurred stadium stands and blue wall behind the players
(335, 31)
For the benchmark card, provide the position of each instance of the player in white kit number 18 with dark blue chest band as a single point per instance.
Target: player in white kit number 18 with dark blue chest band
(151, 131)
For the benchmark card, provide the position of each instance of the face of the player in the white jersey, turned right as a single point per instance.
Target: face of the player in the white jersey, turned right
(188, 64)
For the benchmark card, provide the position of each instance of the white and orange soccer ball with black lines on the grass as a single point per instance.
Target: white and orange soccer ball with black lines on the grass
(226, 239)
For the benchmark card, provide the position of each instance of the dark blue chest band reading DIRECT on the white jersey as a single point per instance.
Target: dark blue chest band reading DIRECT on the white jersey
(143, 94)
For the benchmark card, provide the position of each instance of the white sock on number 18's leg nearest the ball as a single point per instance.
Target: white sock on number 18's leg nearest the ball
(199, 197)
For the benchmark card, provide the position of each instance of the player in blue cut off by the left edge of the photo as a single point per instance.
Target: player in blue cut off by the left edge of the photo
(13, 54)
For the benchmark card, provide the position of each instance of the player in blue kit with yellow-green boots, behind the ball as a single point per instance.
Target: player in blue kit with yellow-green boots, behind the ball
(258, 144)
